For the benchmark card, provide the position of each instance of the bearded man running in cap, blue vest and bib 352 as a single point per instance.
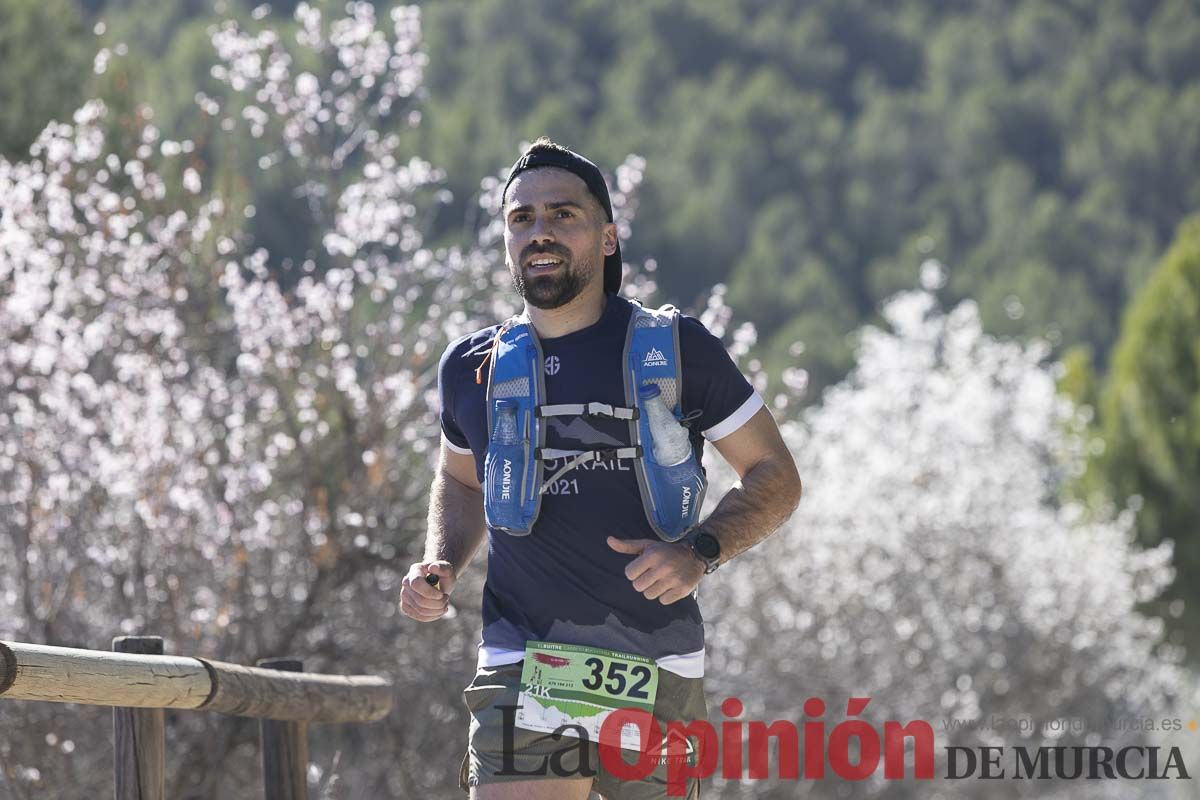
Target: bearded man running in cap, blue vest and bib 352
(590, 593)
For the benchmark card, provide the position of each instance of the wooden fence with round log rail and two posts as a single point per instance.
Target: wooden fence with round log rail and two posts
(139, 682)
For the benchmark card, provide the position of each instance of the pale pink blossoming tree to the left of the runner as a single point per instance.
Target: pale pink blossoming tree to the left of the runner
(191, 447)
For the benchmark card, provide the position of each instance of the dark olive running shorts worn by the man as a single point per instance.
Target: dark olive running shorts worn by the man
(679, 700)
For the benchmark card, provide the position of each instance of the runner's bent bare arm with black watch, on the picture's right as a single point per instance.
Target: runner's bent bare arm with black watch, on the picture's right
(765, 497)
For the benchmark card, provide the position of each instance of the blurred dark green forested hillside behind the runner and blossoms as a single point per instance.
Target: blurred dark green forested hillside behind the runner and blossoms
(802, 154)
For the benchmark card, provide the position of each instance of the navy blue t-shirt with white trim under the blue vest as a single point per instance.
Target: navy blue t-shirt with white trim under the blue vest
(562, 582)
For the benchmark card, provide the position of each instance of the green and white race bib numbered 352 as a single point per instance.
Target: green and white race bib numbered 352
(566, 685)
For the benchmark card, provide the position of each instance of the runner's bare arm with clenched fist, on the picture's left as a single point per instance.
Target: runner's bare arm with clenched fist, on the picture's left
(454, 533)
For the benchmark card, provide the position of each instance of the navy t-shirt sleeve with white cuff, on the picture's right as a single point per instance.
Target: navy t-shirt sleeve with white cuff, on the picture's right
(713, 384)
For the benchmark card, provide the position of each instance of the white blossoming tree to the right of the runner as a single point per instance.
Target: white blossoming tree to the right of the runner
(933, 569)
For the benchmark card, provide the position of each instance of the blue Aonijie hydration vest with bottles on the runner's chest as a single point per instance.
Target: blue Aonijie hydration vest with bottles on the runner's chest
(514, 467)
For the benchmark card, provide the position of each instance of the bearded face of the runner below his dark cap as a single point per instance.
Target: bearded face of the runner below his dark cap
(556, 237)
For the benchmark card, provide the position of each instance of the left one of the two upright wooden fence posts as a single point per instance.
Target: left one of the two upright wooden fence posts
(139, 736)
